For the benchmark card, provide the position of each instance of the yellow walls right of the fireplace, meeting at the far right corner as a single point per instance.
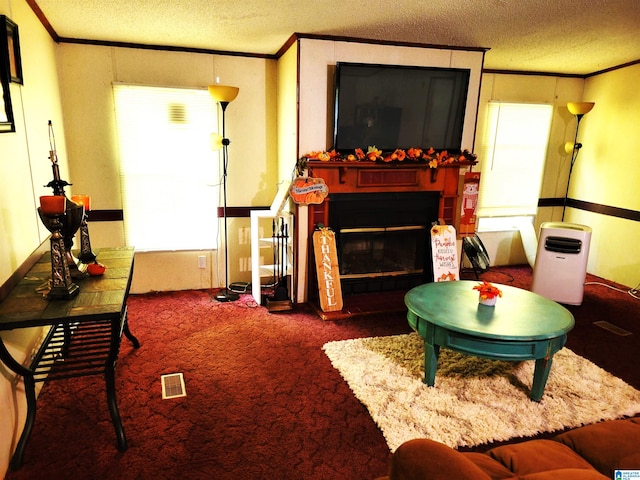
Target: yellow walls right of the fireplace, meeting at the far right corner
(606, 172)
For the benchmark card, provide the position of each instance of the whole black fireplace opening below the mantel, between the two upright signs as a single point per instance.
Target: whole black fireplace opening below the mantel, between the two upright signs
(383, 239)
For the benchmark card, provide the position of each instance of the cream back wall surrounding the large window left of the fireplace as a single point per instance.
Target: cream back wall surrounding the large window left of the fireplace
(87, 74)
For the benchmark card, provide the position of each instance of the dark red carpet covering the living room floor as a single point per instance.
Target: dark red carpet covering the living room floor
(263, 400)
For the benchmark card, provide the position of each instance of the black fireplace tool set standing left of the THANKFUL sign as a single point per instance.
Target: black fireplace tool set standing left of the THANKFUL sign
(280, 300)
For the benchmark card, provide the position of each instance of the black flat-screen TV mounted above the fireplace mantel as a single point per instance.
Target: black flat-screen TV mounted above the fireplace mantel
(391, 106)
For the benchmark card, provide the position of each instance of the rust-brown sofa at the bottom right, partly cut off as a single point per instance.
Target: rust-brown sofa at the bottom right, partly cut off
(585, 453)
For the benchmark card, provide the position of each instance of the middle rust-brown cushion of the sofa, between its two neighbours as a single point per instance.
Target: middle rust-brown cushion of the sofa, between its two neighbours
(536, 456)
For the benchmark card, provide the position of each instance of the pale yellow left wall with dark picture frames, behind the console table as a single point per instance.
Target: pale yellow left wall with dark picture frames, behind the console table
(25, 170)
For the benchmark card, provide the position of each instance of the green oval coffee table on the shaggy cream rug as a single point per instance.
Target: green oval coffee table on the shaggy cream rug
(522, 326)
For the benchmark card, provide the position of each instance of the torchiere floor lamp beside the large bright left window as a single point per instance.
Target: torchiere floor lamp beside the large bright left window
(224, 95)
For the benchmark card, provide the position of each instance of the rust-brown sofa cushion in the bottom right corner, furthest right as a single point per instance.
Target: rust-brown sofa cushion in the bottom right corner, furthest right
(607, 446)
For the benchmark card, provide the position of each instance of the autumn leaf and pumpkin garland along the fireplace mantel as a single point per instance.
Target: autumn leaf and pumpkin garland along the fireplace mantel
(430, 156)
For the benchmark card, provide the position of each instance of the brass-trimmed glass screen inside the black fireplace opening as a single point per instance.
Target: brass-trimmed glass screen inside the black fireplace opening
(370, 252)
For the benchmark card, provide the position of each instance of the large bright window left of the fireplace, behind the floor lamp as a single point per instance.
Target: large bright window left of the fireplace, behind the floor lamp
(169, 174)
